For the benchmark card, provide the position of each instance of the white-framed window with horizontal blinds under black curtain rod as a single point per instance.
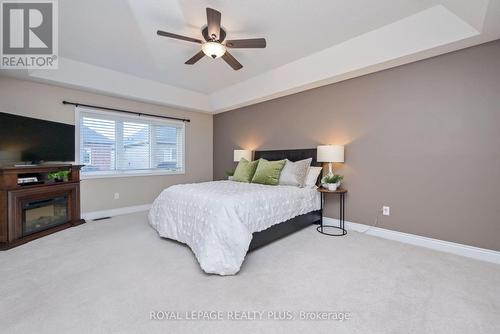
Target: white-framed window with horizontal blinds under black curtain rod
(111, 144)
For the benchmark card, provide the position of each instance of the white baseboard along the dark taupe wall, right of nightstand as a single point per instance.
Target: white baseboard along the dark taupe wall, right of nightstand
(440, 245)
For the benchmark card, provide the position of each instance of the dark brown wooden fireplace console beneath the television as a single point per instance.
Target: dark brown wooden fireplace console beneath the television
(16, 199)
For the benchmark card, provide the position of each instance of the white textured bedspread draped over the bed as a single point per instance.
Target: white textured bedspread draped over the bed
(217, 219)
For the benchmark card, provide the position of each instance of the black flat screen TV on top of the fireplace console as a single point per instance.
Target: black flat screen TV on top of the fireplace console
(31, 140)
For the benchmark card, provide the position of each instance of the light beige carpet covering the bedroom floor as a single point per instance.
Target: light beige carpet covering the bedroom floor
(107, 276)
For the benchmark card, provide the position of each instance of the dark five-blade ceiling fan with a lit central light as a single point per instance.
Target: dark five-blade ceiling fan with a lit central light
(214, 35)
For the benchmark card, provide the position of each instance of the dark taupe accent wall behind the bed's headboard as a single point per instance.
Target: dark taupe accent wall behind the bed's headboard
(423, 138)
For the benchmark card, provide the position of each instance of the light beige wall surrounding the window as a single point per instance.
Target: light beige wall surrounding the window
(44, 101)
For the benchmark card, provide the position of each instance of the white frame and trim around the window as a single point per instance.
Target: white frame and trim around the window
(131, 172)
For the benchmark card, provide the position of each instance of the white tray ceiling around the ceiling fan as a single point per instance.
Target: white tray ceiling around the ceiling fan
(111, 46)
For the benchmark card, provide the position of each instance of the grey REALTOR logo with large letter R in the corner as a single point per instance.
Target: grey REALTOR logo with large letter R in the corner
(29, 34)
